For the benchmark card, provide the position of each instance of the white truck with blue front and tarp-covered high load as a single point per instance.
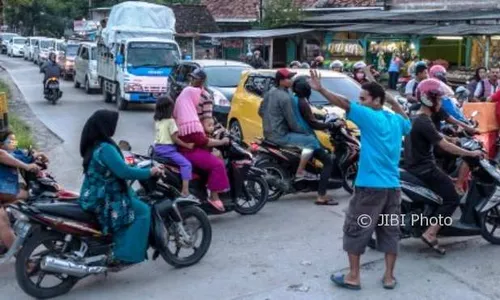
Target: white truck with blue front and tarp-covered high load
(136, 53)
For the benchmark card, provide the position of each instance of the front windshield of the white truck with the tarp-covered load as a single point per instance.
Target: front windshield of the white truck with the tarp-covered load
(152, 54)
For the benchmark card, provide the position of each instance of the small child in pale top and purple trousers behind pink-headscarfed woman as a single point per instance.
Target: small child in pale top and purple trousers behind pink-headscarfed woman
(167, 140)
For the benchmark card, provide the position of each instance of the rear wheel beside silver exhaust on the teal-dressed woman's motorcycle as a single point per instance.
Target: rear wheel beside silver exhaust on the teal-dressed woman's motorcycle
(25, 256)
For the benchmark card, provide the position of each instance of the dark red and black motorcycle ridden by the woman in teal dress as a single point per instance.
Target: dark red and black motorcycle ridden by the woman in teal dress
(76, 247)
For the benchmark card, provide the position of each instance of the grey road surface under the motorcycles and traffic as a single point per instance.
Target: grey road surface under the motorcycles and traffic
(287, 251)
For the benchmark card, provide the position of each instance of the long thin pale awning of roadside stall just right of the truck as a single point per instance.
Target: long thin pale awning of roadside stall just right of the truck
(263, 34)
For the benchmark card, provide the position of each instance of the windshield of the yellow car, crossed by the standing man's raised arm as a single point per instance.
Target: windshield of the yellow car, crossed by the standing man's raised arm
(343, 86)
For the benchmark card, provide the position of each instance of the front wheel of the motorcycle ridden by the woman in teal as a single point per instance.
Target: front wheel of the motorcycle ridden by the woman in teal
(173, 235)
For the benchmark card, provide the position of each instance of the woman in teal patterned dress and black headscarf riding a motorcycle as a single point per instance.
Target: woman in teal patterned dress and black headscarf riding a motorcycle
(105, 191)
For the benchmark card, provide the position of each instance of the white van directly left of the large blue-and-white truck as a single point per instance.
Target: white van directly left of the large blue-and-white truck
(86, 68)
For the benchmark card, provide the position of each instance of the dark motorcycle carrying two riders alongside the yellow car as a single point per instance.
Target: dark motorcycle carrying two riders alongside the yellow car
(280, 163)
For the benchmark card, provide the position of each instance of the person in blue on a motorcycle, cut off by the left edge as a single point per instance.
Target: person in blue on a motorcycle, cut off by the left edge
(12, 185)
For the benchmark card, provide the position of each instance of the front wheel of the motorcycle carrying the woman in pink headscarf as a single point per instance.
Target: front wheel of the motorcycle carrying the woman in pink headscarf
(255, 193)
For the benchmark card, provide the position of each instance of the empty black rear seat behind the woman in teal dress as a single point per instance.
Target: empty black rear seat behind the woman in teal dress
(71, 211)
